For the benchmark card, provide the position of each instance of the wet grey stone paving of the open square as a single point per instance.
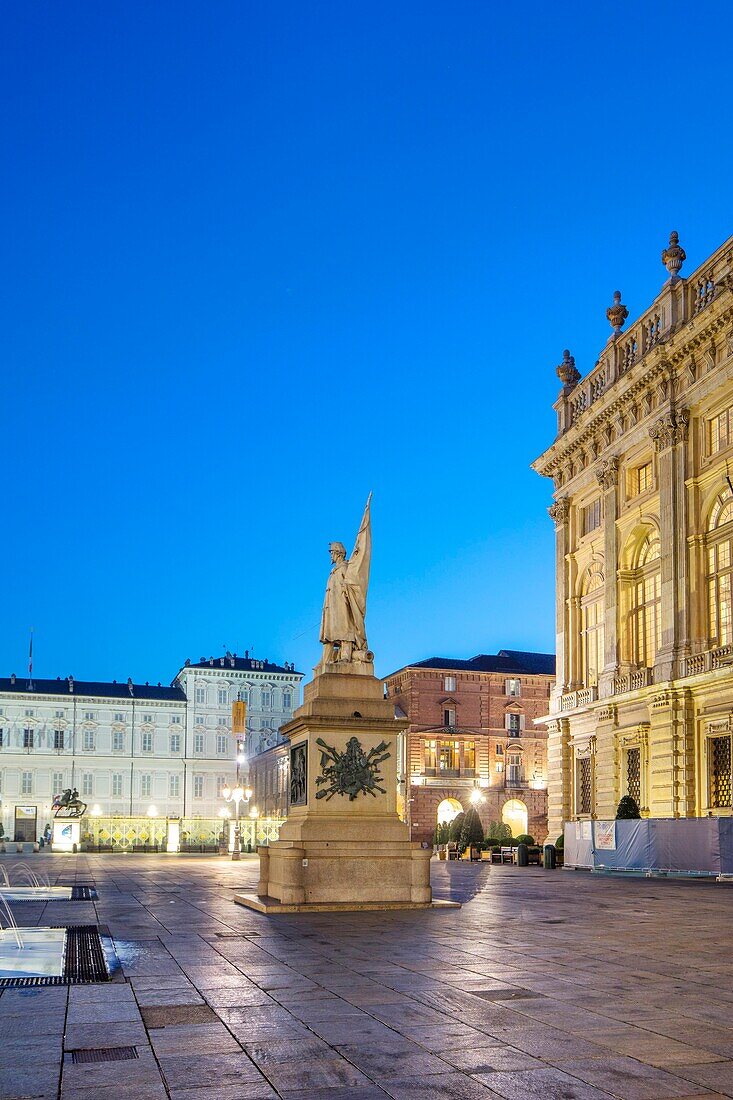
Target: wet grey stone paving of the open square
(544, 985)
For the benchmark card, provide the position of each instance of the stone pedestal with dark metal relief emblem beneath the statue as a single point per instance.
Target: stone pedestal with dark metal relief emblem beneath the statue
(343, 848)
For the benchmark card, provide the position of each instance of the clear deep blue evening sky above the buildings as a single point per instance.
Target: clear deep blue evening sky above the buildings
(261, 259)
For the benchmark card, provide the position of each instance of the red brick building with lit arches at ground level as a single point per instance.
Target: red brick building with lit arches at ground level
(473, 740)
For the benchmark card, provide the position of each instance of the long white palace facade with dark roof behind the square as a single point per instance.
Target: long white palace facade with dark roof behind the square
(135, 751)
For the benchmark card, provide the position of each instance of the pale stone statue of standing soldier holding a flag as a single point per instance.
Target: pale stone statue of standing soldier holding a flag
(343, 631)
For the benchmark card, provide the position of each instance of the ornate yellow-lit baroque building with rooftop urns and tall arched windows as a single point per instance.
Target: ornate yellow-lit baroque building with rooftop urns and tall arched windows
(643, 511)
